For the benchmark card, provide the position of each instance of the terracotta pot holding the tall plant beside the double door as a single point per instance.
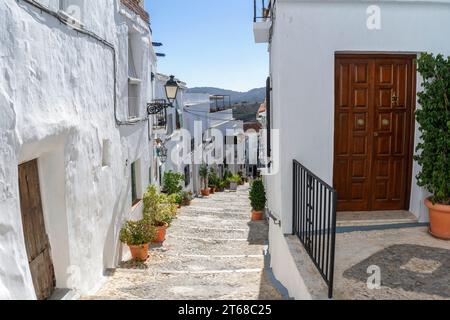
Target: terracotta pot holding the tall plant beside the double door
(439, 220)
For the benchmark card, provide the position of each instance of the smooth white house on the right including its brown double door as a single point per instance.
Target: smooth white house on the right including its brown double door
(342, 95)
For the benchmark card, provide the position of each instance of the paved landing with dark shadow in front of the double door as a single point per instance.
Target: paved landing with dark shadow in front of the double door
(411, 263)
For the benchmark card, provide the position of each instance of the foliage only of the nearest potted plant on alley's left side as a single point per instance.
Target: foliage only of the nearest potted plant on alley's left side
(137, 233)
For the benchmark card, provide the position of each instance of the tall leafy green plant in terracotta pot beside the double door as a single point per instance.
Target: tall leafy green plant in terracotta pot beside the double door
(433, 153)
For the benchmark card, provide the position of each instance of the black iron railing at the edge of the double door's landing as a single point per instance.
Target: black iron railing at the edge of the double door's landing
(314, 220)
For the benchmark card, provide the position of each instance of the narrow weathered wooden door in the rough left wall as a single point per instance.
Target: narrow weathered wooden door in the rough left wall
(36, 239)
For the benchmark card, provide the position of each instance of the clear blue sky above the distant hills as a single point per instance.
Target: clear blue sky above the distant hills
(209, 43)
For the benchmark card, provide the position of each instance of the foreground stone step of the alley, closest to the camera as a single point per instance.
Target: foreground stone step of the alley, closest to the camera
(216, 286)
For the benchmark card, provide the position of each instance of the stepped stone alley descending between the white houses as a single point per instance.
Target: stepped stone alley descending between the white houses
(212, 251)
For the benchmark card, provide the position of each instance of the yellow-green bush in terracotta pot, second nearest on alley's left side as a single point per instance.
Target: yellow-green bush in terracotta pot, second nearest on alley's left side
(159, 212)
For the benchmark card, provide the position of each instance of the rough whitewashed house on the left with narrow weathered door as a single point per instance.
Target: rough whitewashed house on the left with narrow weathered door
(75, 152)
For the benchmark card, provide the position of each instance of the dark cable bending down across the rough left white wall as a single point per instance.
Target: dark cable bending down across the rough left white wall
(97, 38)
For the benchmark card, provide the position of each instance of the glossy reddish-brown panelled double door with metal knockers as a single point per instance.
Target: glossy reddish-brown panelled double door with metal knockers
(373, 115)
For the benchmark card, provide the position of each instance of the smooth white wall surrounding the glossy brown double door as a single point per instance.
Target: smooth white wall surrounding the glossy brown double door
(306, 37)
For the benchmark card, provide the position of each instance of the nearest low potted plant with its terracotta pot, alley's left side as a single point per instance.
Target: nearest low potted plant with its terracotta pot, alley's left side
(137, 235)
